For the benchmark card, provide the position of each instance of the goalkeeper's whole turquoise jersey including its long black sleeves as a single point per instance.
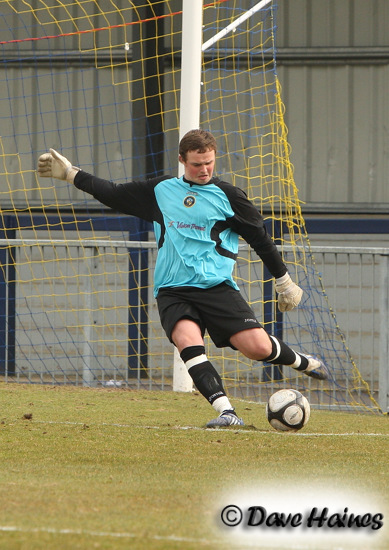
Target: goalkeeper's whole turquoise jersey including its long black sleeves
(197, 227)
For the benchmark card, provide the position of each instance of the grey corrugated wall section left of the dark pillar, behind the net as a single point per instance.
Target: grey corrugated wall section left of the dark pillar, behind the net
(52, 96)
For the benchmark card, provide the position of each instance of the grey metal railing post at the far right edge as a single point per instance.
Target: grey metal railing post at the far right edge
(383, 378)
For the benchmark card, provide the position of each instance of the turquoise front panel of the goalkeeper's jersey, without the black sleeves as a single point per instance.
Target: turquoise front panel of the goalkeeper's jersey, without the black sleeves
(198, 249)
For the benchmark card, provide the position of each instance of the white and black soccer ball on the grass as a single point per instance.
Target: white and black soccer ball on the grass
(288, 410)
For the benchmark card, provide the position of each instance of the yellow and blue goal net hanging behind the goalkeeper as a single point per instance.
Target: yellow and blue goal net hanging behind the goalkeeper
(100, 82)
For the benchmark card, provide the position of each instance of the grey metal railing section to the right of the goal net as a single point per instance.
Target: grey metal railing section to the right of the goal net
(357, 284)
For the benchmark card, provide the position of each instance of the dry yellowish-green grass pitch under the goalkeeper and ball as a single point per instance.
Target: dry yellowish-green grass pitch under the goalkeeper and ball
(118, 469)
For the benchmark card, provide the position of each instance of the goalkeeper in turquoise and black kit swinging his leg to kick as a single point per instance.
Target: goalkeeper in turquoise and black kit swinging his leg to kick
(198, 219)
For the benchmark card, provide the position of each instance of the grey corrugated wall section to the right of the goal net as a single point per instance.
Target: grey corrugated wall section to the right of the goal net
(333, 65)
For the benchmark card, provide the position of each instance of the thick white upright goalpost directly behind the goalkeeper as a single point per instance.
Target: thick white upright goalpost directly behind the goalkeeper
(191, 55)
